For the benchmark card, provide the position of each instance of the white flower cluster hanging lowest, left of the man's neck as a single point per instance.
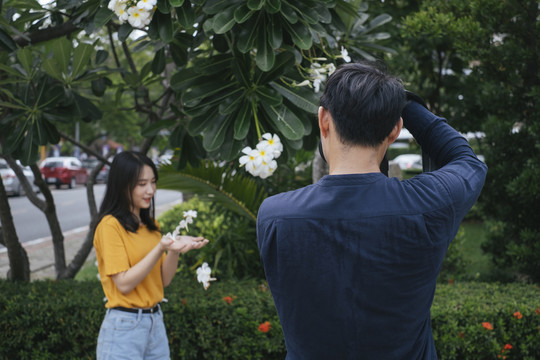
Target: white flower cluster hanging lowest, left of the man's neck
(260, 161)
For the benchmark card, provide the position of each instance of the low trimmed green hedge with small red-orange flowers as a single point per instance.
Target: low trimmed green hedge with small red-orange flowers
(60, 320)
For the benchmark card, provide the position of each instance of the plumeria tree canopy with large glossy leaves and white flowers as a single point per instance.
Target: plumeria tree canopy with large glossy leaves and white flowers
(223, 76)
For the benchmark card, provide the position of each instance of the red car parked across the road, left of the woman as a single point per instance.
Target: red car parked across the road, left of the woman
(63, 170)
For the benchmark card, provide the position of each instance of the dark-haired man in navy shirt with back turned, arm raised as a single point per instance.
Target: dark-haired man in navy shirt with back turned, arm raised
(352, 260)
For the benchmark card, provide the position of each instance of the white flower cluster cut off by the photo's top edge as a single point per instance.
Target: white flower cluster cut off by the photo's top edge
(137, 12)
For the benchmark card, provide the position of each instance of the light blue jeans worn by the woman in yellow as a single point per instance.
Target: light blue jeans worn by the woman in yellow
(132, 336)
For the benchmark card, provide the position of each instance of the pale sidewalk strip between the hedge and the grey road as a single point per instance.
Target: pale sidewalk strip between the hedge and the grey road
(41, 254)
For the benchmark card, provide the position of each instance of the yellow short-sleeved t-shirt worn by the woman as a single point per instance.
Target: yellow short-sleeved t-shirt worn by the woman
(117, 250)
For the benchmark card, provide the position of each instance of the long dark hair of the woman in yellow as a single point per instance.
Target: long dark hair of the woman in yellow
(123, 177)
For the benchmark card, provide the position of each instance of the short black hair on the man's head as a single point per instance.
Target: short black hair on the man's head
(365, 103)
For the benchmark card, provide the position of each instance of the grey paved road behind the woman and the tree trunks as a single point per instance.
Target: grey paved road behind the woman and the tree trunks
(72, 209)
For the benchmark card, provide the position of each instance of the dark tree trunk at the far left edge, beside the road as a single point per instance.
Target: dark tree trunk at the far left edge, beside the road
(18, 259)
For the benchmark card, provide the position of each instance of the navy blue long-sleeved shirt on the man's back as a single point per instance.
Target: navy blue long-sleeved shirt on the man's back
(352, 261)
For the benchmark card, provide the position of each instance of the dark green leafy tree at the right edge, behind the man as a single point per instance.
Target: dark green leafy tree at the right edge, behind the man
(476, 63)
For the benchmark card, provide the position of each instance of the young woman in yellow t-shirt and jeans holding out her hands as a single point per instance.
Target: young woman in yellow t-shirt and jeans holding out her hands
(135, 262)
